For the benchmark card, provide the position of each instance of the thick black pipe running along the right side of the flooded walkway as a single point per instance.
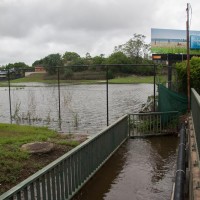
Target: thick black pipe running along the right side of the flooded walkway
(181, 167)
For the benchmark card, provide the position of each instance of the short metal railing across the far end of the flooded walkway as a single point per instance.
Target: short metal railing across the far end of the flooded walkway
(153, 123)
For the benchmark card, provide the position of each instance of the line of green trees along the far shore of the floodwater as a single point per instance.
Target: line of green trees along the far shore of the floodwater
(134, 51)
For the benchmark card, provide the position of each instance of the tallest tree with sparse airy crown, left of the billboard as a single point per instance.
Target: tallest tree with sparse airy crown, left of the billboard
(135, 48)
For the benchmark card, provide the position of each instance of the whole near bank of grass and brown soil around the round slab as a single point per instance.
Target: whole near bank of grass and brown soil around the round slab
(15, 164)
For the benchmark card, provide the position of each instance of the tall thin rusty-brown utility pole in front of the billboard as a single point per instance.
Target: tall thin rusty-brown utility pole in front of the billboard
(188, 57)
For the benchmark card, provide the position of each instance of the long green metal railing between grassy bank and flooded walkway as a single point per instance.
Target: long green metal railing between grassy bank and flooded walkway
(63, 178)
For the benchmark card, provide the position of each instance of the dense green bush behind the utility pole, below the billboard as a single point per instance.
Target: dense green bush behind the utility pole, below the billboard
(194, 74)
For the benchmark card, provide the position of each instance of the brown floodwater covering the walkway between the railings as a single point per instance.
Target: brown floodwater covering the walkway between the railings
(140, 169)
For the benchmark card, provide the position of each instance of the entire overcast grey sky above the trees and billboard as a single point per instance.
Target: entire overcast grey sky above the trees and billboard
(33, 29)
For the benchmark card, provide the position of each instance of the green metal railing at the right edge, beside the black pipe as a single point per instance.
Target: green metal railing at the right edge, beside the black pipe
(195, 109)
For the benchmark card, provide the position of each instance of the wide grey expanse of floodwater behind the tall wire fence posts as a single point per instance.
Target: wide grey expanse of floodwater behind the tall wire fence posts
(83, 107)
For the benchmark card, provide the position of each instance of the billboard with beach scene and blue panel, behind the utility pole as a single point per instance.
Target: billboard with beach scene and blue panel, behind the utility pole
(174, 41)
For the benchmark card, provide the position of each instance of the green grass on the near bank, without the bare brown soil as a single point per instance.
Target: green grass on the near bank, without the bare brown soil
(12, 159)
